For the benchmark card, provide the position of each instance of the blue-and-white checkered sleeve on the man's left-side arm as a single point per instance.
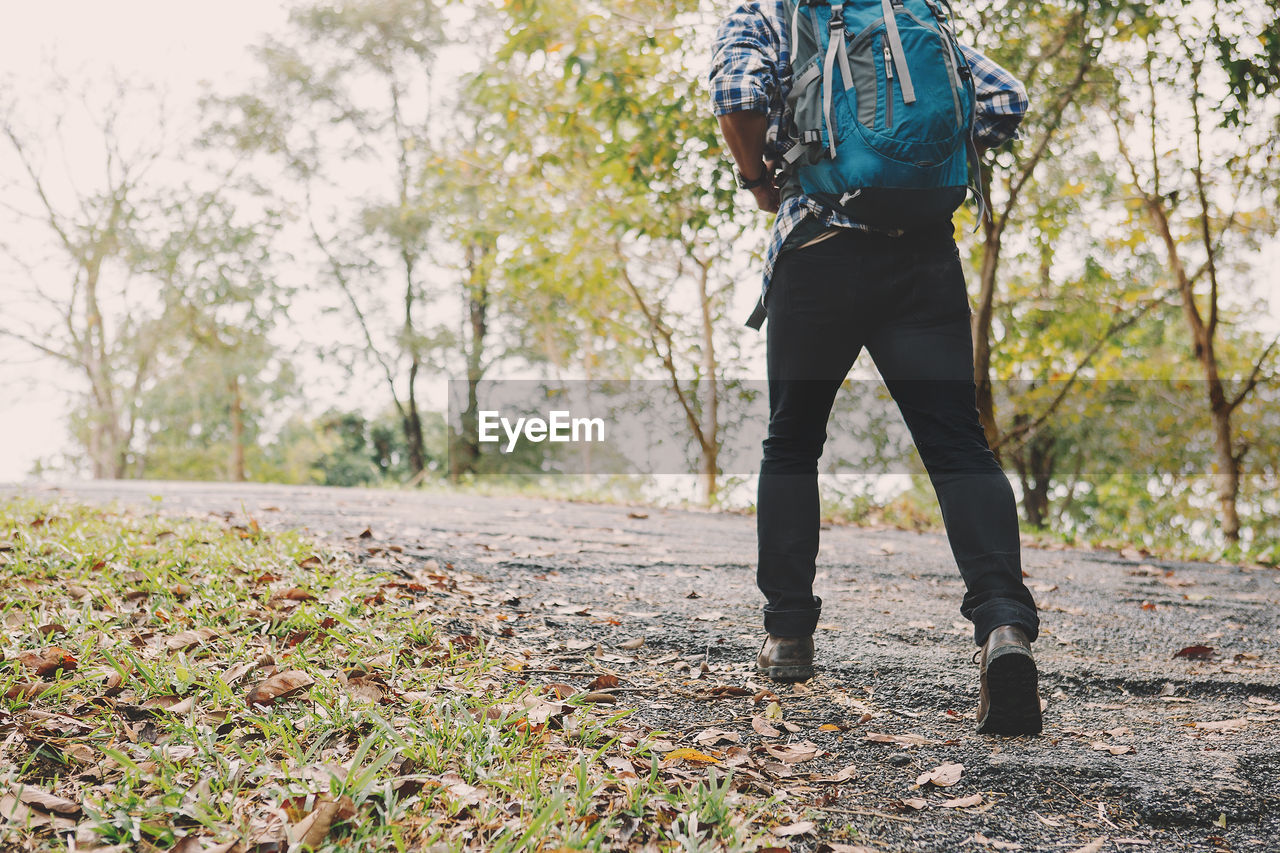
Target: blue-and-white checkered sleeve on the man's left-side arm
(746, 72)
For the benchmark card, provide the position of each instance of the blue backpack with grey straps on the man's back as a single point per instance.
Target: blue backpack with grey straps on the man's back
(883, 102)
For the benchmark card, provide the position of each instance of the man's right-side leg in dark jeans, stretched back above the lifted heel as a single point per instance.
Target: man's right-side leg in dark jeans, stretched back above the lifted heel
(926, 357)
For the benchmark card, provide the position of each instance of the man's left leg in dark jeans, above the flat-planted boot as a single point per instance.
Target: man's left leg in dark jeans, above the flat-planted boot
(812, 343)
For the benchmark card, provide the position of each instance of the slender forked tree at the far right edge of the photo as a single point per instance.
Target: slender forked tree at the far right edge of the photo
(1209, 203)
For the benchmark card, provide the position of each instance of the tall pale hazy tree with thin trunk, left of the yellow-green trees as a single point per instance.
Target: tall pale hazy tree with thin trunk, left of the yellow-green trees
(346, 108)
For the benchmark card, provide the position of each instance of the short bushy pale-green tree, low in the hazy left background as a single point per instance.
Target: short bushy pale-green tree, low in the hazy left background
(218, 370)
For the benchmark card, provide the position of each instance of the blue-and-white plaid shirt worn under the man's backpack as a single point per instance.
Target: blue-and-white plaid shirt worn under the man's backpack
(752, 71)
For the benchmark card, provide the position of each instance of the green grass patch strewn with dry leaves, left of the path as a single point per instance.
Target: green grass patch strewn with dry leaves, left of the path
(409, 738)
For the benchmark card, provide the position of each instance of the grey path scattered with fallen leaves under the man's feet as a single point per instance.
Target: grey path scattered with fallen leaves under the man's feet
(1203, 770)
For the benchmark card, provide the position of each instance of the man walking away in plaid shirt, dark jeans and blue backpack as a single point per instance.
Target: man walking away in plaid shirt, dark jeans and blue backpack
(862, 254)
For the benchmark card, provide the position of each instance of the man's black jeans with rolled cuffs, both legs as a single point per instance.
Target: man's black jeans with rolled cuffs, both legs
(903, 299)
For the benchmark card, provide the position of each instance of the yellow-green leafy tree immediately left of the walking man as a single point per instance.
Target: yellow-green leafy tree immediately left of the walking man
(610, 104)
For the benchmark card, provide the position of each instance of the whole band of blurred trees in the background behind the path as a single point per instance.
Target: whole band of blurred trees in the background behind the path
(415, 191)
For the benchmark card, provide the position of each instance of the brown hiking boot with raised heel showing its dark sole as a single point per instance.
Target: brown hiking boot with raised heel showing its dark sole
(1008, 701)
